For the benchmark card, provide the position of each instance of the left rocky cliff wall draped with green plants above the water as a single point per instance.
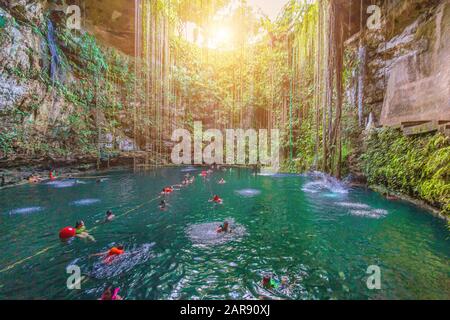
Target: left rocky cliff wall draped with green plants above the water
(60, 93)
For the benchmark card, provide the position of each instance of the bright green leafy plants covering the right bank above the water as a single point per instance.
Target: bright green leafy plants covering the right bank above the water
(417, 166)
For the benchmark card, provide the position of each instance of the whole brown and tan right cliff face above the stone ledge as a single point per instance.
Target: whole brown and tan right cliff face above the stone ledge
(407, 63)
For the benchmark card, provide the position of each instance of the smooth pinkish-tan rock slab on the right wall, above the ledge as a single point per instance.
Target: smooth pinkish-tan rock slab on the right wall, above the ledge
(419, 80)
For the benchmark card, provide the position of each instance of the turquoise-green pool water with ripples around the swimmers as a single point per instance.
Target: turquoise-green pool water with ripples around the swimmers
(323, 240)
